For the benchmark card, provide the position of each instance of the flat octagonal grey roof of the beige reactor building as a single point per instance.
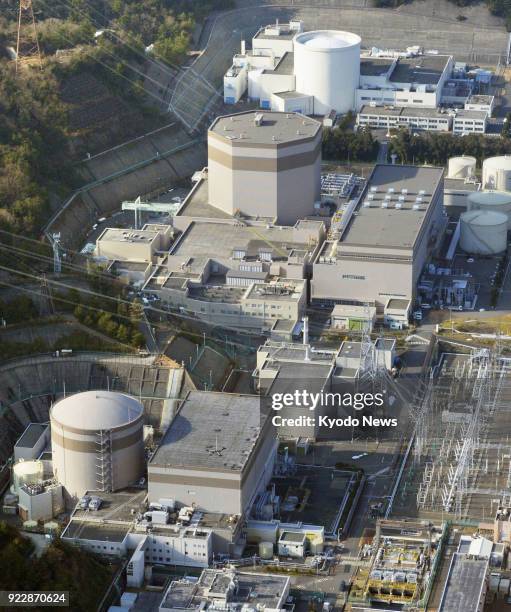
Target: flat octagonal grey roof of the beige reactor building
(275, 129)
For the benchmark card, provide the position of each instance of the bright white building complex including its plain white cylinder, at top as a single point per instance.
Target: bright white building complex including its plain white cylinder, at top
(321, 72)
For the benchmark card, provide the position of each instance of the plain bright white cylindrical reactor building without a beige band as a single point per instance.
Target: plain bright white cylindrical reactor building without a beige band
(327, 66)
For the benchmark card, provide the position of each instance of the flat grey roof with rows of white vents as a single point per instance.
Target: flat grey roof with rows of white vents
(390, 227)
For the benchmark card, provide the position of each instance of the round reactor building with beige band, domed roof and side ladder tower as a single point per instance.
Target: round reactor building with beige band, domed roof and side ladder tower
(97, 441)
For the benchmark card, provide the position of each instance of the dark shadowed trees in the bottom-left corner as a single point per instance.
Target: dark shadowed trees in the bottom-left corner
(60, 568)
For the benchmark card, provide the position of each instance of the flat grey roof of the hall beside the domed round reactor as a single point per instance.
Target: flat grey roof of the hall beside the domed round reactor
(211, 430)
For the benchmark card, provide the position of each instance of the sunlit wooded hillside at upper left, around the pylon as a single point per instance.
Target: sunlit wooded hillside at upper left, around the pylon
(106, 38)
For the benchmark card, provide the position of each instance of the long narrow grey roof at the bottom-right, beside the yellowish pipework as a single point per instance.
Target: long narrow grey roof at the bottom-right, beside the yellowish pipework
(464, 583)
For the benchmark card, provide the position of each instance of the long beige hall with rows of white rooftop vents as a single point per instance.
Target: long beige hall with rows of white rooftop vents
(383, 240)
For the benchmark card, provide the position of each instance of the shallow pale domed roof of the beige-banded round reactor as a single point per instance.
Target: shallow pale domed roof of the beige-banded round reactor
(95, 410)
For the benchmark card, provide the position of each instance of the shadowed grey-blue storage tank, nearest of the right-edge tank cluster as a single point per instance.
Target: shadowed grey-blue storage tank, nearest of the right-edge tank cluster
(483, 232)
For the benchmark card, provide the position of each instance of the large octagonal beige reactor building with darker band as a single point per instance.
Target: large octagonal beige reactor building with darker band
(265, 165)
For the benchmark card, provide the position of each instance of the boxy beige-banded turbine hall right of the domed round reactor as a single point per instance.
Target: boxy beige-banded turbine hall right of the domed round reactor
(216, 455)
